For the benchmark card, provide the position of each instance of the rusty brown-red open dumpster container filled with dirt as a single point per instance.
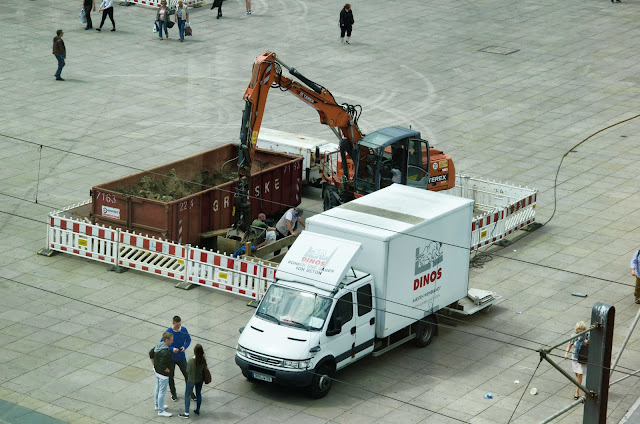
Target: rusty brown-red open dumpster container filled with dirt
(208, 206)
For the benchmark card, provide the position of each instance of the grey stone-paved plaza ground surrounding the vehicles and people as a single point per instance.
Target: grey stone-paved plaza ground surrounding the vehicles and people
(74, 336)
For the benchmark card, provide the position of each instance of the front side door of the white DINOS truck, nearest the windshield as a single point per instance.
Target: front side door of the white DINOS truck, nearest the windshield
(342, 340)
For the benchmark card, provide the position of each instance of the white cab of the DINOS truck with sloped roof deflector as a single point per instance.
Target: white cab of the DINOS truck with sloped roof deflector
(317, 318)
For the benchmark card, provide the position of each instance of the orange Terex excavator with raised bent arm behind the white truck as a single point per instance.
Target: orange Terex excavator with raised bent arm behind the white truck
(363, 164)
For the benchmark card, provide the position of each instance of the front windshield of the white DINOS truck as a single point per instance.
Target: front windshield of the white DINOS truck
(294, 308)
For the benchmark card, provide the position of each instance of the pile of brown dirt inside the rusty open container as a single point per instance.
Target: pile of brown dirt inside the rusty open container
(170, 187)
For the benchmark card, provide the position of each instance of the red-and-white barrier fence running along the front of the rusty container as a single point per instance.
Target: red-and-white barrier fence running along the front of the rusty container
(126, 249)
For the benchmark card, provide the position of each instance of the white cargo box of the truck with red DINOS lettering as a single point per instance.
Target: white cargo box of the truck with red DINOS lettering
(415, 245)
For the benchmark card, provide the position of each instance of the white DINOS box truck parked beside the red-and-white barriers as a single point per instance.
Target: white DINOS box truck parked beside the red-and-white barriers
(363, 278)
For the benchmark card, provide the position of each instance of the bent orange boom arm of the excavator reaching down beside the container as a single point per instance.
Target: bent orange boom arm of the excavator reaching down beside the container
(267, 74)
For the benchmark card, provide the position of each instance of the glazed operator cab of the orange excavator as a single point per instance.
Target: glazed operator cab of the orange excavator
(392, 155)
